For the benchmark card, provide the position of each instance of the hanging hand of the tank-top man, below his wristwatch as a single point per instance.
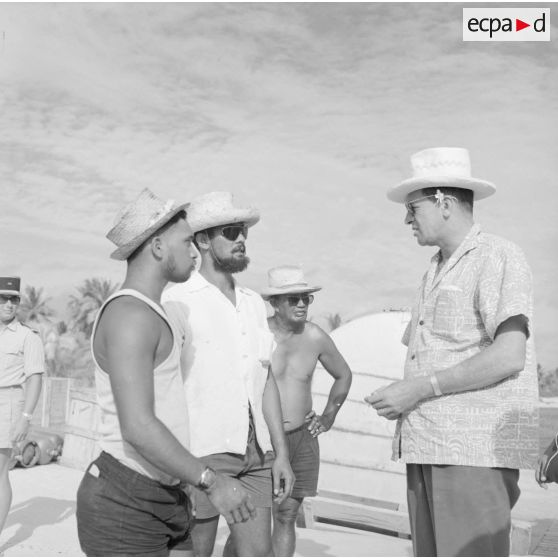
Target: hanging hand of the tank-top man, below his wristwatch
(231, 500)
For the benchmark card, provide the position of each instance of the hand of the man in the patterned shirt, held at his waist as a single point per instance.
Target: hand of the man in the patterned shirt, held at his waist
(399, 397)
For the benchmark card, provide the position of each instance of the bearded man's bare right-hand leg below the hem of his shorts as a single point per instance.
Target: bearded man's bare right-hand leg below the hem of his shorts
(253, 537)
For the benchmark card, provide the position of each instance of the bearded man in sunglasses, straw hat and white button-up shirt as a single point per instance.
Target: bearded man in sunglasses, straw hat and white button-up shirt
(232, 398)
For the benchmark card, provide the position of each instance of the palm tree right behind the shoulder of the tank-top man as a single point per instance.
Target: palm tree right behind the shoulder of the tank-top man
(84, 307)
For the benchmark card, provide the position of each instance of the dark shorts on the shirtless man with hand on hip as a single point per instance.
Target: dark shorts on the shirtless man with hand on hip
(304, 453)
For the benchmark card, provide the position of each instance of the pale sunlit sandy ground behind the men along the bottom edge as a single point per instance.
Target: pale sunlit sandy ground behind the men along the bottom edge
(42, 523)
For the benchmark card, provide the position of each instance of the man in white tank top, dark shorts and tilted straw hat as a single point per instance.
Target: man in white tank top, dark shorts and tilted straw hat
(130, 501)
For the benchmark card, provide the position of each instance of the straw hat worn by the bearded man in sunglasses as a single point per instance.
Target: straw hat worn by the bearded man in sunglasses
(217, 208)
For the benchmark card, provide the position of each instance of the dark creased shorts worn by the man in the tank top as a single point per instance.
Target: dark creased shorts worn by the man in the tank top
(123, 513)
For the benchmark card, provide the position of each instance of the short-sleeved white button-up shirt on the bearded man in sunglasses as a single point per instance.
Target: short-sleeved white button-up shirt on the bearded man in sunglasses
(226, 352)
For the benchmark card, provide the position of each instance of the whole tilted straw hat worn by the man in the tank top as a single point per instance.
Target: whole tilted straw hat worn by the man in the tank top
(136, 222)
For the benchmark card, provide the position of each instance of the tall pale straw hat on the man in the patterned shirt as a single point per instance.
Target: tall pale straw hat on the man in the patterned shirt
(439, 167)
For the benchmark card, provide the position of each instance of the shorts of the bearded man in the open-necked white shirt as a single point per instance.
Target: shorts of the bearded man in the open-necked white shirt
(252, 470)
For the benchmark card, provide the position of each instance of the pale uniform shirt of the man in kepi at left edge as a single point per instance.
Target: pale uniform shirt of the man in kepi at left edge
(21, 354)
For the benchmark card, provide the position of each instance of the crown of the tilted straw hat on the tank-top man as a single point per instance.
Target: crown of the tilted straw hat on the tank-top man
(138, 216)
